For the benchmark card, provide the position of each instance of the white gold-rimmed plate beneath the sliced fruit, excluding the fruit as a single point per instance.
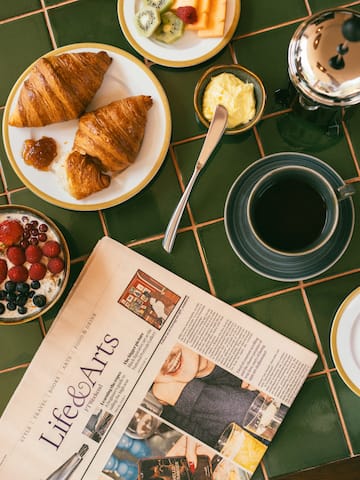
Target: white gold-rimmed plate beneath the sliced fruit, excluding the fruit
(189, 50)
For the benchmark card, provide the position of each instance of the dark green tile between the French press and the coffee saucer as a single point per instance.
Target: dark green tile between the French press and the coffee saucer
(274, 134)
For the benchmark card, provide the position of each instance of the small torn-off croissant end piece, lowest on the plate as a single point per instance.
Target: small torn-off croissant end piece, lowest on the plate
(84, 175)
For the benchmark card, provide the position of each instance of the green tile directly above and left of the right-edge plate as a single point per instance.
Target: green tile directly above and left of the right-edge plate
(325, 299)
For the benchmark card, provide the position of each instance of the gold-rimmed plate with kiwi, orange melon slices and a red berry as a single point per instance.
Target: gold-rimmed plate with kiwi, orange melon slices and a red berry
(178, 33)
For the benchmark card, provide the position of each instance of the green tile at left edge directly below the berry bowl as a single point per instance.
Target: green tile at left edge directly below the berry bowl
(18, 343)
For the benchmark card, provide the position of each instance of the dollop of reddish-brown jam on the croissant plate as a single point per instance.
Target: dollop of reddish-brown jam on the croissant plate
(40, 153)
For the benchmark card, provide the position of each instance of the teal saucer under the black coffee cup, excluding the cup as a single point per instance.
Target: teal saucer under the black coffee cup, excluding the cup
(270, 263)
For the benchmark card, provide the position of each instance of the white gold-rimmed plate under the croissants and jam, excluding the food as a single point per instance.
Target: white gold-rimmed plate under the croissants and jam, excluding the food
(125, 77)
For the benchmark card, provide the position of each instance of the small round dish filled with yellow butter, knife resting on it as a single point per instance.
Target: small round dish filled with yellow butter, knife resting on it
(238, 89)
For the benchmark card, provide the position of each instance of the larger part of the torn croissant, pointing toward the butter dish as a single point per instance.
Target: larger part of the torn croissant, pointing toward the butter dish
(114, 133)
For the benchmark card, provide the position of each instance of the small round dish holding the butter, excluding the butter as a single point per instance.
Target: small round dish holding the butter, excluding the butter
(244, 75)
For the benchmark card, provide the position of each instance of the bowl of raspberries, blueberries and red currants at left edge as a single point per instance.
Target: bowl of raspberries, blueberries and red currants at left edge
(34, 264)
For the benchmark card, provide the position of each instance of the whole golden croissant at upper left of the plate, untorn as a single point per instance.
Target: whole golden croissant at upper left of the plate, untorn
(59, 88)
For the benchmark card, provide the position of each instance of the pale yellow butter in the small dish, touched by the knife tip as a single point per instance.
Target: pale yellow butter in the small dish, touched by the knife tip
(235, 95)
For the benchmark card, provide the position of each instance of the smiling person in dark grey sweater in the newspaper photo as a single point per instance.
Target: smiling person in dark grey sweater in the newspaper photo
(203, 399)
